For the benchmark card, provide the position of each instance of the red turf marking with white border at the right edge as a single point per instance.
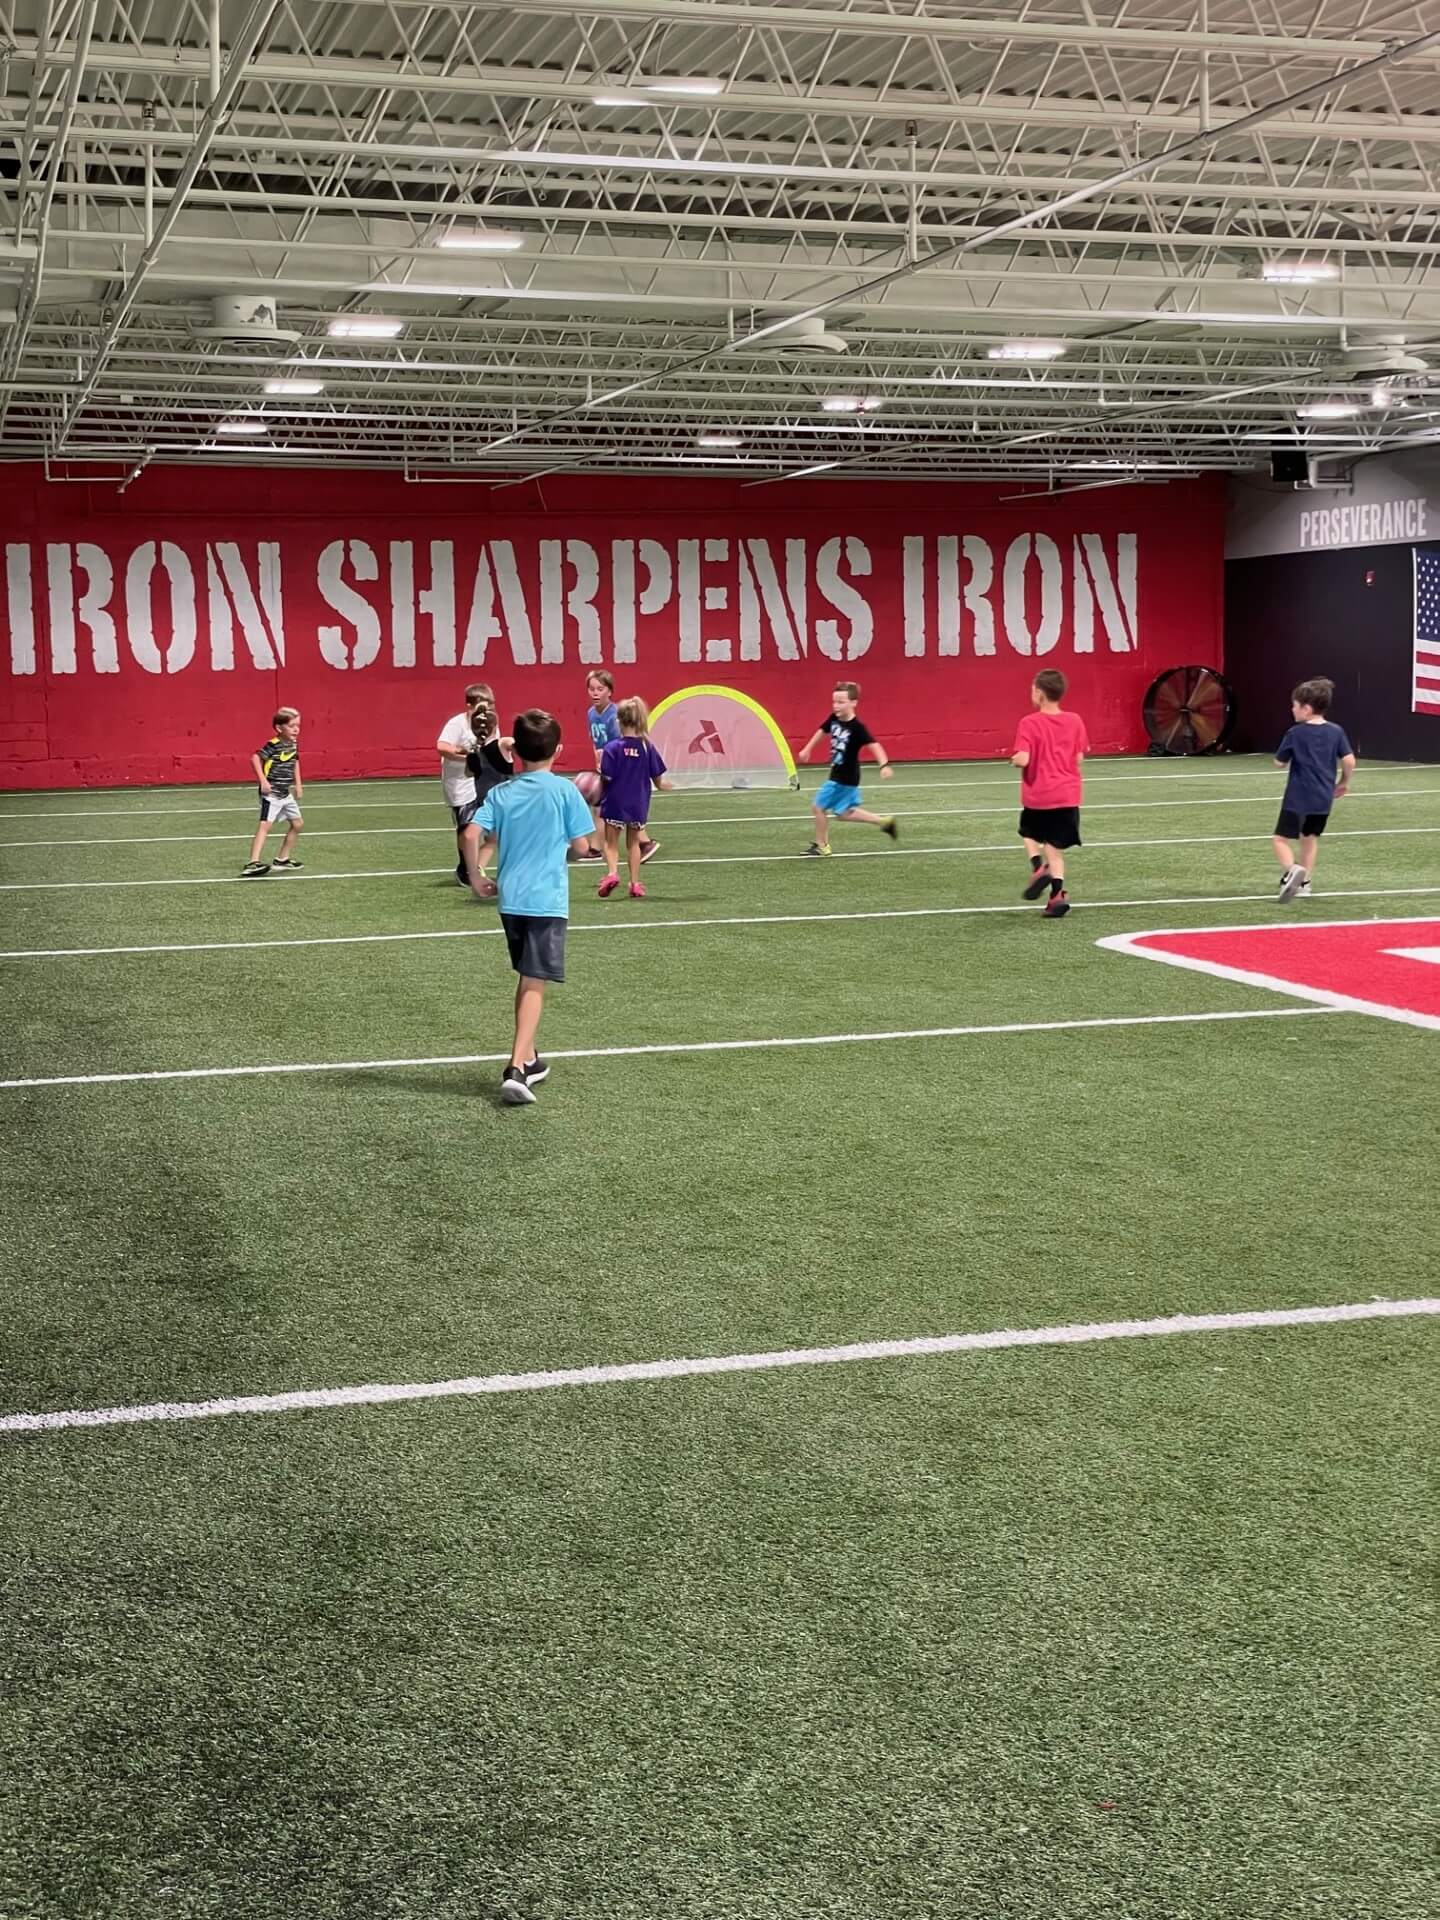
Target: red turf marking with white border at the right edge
(1364, 967)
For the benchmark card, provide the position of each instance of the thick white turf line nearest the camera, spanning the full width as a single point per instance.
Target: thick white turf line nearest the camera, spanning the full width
(623, 1374)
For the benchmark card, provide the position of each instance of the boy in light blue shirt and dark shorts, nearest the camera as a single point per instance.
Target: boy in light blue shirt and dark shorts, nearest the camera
(537, 819)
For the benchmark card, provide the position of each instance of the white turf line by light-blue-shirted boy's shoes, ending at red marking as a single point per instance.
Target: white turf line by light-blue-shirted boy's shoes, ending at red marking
(663, 1047)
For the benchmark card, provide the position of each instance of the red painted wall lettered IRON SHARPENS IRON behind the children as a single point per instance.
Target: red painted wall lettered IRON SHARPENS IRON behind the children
(151, 635)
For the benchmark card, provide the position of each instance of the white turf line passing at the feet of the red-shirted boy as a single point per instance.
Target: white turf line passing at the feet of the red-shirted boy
(623, 924)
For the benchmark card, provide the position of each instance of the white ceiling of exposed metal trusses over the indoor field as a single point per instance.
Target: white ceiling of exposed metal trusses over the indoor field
(924, 181)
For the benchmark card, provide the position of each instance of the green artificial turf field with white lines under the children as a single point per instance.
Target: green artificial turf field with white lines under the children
(1128, 1629)
